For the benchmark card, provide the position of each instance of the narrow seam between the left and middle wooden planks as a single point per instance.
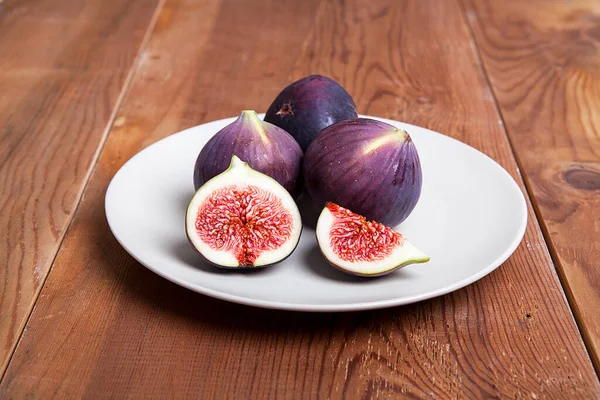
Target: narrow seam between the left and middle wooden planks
(92, 167)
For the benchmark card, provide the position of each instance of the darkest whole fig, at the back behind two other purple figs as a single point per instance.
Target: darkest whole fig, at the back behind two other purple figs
(309, 105)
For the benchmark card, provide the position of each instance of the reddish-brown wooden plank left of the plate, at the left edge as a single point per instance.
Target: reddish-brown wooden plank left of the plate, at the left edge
(62, 68)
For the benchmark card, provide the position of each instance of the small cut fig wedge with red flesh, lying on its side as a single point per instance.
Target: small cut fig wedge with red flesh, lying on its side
(360, 247)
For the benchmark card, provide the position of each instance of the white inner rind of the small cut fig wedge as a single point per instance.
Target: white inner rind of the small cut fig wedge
(403, 254)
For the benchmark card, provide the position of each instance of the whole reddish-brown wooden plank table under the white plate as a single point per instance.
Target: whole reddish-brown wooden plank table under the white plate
(84, 85)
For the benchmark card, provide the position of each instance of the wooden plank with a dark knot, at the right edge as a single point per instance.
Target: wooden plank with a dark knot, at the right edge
(543, 63)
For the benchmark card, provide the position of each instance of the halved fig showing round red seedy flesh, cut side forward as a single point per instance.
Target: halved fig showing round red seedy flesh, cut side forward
(242, 218)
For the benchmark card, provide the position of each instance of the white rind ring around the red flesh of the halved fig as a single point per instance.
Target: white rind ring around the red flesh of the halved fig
(240, 176)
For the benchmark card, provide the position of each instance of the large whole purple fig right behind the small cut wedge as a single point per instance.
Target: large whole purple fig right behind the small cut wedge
(367, 166)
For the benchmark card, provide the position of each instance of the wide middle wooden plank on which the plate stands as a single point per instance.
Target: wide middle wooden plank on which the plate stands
(106, 326)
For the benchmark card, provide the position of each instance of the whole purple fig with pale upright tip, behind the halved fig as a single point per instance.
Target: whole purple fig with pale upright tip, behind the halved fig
(265, 147)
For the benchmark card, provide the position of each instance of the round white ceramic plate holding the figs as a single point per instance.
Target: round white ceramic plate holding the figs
(470, 219)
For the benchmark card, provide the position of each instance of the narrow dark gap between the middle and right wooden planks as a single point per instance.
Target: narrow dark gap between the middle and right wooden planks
(564, 283)
